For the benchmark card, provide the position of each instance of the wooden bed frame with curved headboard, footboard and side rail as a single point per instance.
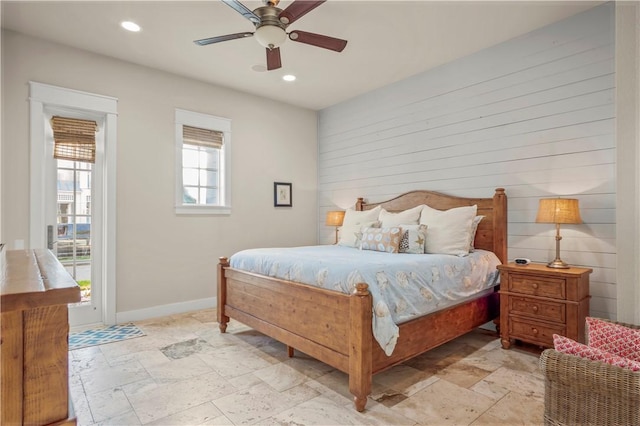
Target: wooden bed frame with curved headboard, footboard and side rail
(335, 328)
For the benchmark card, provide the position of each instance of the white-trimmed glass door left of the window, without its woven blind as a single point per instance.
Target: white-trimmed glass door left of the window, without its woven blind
(72, 209)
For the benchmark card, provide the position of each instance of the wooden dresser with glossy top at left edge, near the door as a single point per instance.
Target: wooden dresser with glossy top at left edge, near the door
(34, 338)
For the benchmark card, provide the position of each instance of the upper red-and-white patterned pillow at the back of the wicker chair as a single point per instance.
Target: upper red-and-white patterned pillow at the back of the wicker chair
(615, 338)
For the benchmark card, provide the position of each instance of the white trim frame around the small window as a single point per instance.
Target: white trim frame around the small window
(204, 121)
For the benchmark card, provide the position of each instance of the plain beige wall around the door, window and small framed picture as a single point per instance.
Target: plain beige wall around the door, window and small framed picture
(164, 259)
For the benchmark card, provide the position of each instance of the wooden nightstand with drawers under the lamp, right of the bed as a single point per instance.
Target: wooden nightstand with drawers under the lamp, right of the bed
(537, 302)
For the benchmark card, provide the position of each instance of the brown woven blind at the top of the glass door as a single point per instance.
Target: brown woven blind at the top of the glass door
(74, 139)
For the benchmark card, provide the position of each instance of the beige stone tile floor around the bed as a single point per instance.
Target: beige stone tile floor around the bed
(185, 372)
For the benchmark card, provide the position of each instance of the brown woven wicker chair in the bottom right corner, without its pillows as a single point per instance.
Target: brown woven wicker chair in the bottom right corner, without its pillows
(583, 392)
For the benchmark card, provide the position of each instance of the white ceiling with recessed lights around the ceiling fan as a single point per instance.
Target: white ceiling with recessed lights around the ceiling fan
(387, 40)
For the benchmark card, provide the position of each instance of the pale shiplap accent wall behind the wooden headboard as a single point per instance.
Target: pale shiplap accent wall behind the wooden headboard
(534, 115)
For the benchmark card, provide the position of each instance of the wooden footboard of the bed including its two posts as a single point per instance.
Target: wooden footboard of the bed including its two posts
(332, 327)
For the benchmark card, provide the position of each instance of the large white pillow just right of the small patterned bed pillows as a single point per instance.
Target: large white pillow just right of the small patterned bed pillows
(449, 230)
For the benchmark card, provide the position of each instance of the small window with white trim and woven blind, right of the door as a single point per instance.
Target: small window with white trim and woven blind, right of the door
(203, 146)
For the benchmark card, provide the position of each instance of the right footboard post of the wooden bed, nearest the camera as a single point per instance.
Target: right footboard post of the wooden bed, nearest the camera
(360, 345)
